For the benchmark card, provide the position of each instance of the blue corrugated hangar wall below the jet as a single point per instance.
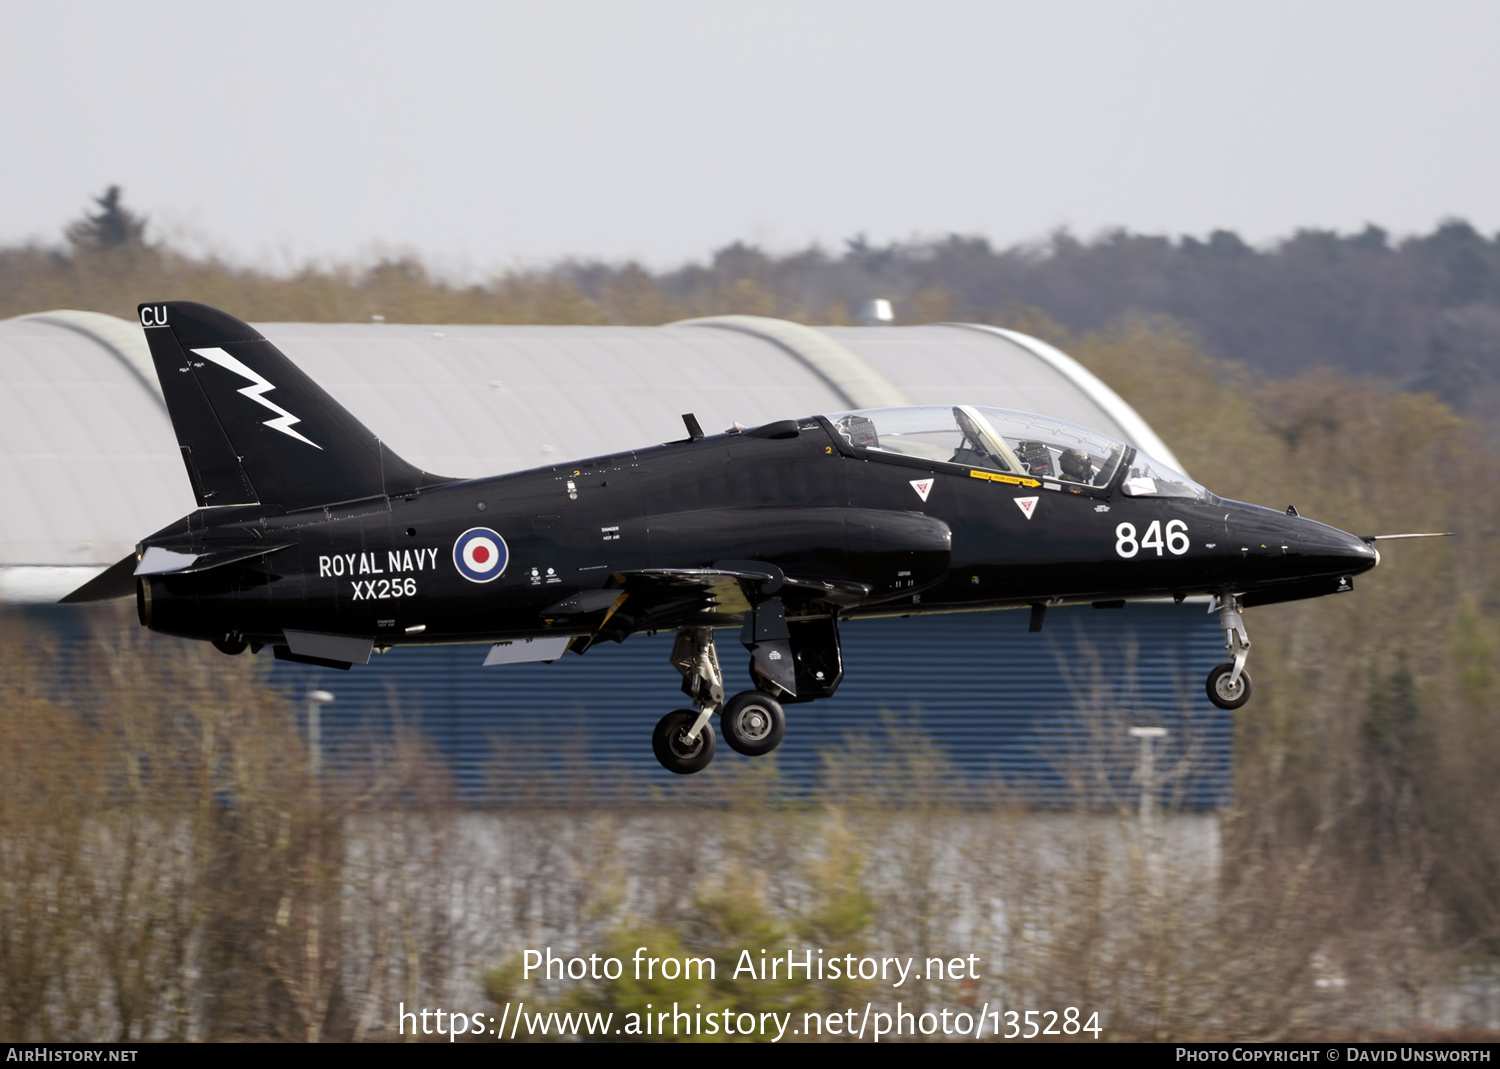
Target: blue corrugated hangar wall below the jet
(965, 707)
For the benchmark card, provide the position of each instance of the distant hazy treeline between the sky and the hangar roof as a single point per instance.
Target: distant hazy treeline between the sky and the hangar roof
(1418, 314)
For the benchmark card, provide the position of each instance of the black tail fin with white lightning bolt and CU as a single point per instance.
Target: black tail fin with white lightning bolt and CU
(253, 427)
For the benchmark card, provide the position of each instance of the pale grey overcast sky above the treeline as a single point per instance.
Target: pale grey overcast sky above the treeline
(496, 134)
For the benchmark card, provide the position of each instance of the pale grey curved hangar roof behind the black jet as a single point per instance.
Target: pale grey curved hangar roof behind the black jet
(89, 463)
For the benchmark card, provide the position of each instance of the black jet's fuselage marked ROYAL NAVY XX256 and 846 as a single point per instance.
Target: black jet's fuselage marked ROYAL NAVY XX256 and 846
(797, 499)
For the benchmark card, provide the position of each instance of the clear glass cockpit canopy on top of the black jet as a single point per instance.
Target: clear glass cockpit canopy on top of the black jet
(1021, 445)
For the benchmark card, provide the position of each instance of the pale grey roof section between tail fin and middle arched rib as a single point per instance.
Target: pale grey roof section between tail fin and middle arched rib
(476, 401)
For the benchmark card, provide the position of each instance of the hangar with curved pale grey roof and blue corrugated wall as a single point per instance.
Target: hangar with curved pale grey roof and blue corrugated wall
(89, 464)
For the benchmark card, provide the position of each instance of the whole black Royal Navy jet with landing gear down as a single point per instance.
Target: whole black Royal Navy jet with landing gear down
(317, 540)
